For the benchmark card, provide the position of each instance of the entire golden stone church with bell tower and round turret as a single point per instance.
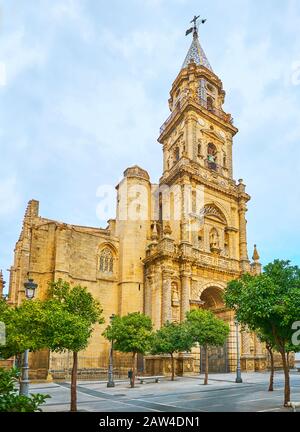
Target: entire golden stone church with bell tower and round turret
(172, 246)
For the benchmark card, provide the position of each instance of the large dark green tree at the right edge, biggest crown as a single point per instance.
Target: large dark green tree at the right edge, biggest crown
(269, 304)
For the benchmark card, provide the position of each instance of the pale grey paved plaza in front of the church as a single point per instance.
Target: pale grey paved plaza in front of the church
(185, 394)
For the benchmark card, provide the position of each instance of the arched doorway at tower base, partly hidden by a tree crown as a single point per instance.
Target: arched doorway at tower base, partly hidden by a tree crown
(212, 299)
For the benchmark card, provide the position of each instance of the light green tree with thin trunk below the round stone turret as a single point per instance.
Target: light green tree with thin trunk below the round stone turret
(131, 333)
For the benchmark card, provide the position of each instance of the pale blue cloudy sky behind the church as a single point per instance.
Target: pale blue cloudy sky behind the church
(84, 86)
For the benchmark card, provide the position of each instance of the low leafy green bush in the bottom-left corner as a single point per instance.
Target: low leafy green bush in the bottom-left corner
(10, 401)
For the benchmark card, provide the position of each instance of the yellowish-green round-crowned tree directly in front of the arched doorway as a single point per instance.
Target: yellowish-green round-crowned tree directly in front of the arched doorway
(208, 330)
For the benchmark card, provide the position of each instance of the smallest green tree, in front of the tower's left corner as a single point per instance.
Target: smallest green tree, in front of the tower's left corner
(170, 339)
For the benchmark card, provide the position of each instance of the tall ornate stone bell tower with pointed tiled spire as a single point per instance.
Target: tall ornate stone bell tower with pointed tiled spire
(199, 236)
